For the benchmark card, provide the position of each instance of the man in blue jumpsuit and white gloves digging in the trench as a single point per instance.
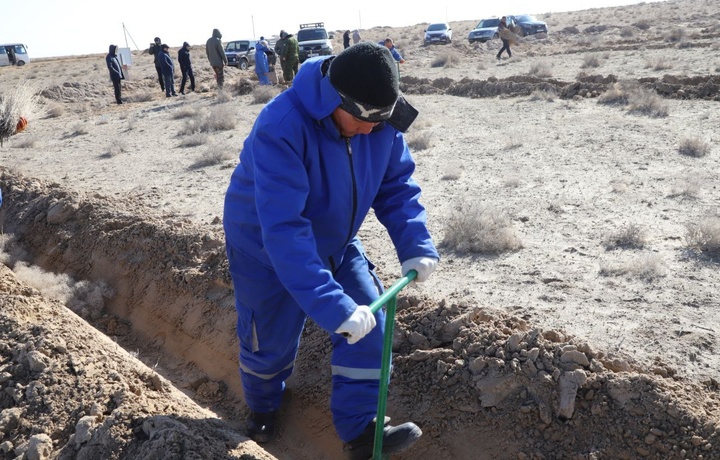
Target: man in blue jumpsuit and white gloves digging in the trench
(318, 158)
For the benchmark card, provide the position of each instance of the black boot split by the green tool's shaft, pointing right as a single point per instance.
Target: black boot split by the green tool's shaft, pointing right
(395, 439)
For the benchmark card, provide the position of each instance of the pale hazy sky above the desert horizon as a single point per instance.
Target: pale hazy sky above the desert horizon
(75, 27)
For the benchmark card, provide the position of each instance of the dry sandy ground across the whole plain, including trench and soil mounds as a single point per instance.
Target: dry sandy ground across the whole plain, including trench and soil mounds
(577, 318)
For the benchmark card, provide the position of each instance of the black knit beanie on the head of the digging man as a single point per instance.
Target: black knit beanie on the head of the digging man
(366, 77)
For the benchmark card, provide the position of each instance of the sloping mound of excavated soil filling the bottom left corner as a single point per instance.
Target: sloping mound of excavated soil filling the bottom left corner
(70, 392)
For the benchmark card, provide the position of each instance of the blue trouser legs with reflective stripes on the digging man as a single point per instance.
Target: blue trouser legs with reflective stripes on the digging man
(268, 346)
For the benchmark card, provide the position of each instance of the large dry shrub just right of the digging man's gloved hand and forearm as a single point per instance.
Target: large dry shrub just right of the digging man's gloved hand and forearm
(481, 229)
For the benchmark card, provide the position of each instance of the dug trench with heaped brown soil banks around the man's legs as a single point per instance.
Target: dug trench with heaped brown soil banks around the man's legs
(480, 385)
